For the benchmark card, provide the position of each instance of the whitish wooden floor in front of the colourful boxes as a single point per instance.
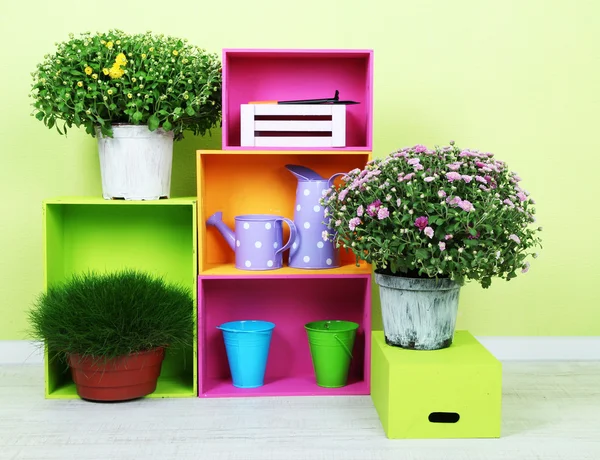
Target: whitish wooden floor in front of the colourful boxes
(550, 411)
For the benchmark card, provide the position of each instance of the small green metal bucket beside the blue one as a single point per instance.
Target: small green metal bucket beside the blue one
(331, 344)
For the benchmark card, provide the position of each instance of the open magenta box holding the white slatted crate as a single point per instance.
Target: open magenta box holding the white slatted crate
(289, 74)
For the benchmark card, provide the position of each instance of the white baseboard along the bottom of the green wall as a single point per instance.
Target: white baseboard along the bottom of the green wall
(503, 348)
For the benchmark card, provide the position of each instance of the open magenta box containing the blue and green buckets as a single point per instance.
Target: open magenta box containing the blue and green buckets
(290, 302)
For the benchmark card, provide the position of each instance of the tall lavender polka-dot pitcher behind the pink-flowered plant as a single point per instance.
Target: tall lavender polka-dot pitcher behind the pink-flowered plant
(308, 250)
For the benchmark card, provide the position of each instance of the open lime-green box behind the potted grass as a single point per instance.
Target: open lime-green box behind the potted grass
(159, 236)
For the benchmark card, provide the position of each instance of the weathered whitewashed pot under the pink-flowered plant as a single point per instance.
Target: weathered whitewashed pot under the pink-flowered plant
(419, 314)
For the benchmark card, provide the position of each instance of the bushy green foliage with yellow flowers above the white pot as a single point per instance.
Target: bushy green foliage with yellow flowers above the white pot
(99, 80)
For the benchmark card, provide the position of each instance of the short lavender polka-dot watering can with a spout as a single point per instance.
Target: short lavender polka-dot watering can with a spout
(257, 240)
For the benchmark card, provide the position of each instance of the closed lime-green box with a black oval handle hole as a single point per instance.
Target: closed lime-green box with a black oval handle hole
(450, 393)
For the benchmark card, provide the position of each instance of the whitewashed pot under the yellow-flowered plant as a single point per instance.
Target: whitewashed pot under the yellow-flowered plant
(135, 164)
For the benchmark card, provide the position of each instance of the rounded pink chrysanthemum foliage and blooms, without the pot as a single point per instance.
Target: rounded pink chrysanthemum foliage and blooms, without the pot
(442, 213)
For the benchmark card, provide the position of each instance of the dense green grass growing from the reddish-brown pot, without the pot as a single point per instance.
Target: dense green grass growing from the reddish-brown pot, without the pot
(113, 314)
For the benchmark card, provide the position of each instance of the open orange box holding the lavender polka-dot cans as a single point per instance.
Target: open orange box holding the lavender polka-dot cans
(246, 182)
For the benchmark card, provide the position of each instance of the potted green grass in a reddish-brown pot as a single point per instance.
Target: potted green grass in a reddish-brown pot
(113, 329)
